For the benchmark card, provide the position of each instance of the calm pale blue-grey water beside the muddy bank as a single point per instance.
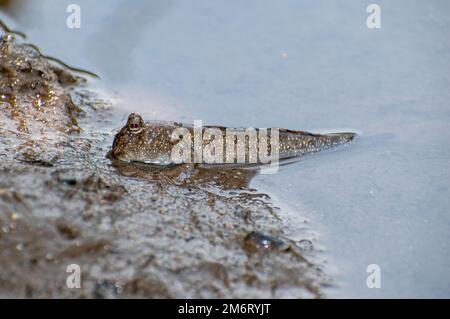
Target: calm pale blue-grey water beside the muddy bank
(310, 65)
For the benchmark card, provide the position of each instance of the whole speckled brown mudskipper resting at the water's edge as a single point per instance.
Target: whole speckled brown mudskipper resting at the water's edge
(154, 142)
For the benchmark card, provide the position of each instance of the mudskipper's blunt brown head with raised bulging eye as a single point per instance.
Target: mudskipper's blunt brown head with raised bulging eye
(128, 142)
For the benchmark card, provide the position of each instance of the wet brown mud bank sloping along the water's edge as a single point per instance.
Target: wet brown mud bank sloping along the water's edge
(135, 230)
